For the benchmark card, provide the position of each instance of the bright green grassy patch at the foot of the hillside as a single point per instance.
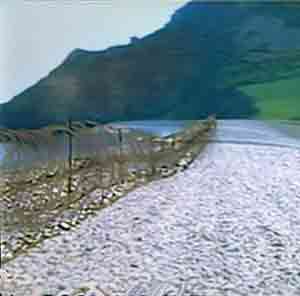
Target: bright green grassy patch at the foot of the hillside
(276, 100)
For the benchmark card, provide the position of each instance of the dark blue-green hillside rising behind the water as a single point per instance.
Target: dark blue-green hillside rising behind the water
(200, 63)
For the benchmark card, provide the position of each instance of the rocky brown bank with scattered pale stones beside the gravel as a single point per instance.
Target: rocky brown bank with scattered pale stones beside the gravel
(68, 211)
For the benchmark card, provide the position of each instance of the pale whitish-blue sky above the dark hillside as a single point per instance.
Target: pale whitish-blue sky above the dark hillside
(37, 35)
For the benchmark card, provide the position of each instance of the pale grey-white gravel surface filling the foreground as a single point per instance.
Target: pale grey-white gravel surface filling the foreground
(229, 225)
